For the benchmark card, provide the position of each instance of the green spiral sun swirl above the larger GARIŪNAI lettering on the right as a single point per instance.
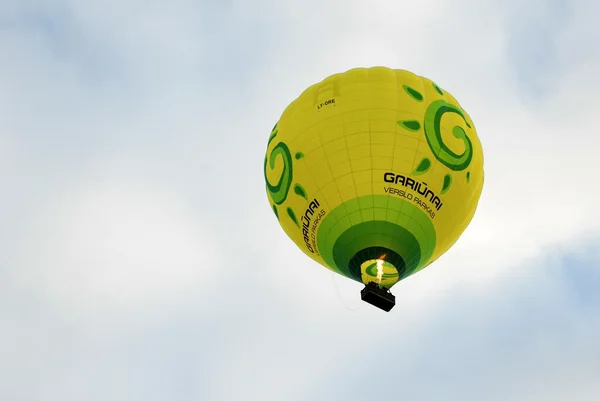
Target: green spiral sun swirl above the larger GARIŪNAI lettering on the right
(433, 134)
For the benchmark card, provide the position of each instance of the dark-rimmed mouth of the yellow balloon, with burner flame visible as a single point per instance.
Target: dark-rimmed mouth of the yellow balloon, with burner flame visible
(380, 265)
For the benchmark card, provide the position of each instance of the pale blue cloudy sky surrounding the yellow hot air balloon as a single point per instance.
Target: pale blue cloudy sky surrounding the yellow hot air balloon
(139, 256)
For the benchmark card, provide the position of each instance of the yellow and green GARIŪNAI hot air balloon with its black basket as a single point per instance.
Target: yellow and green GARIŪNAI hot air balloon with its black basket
(374, 173)
